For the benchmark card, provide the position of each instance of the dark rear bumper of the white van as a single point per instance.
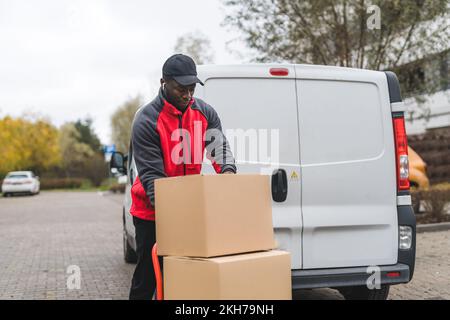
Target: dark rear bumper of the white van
(344, 277)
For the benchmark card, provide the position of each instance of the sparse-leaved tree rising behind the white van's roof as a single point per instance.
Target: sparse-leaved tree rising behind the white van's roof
(336, 32)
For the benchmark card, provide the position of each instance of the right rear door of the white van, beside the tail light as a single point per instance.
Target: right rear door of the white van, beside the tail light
(348, 177)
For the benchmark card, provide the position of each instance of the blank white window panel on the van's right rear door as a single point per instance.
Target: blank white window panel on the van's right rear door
(339, 121)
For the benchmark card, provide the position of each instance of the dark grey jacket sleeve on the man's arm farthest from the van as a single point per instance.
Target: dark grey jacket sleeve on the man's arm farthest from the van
(147, 153)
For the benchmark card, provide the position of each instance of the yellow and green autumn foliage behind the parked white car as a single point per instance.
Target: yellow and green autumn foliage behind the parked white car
(33, 143)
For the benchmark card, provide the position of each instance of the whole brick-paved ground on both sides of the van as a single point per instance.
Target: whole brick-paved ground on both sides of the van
(46, 239)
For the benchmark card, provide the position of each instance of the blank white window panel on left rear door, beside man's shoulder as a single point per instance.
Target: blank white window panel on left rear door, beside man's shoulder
(264, 110)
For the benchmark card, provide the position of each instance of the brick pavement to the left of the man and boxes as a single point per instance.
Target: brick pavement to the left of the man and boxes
(41, 236)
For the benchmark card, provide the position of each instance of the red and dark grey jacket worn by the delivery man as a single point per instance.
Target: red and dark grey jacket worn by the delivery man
(166, 142)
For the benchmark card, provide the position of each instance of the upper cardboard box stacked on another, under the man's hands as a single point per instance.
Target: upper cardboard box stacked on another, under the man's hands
(213, 215)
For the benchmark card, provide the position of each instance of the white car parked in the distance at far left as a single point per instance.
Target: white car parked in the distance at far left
(20, 182)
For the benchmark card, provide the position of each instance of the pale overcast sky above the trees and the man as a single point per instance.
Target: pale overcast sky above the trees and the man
(68, 59)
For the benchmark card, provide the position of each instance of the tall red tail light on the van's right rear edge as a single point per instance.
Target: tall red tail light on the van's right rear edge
(401, 151)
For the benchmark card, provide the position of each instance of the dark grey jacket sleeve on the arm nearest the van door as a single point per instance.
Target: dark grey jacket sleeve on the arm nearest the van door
(218, 151)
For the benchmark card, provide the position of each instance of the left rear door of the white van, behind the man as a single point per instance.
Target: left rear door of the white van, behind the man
(259, 116)
